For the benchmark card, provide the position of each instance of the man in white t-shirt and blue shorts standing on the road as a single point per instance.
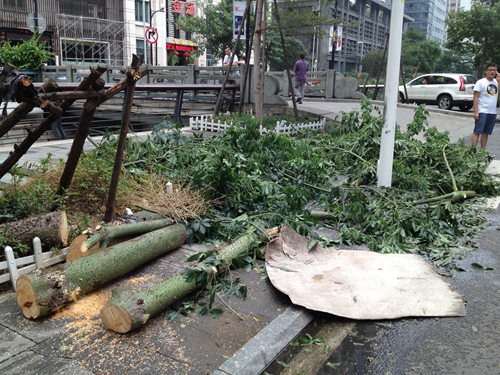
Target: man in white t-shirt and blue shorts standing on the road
(485, 105)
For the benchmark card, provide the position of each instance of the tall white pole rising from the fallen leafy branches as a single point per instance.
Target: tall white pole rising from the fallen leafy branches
(384, 168)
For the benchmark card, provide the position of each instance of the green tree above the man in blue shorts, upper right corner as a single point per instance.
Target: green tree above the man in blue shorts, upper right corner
(476, 32)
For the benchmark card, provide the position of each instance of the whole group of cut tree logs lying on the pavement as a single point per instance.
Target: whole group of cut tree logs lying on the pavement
(91, 263)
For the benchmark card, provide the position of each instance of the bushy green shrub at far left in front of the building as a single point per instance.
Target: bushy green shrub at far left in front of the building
(30, 54)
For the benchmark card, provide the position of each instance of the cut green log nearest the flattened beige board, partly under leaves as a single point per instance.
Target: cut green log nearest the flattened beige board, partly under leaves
(127, 310)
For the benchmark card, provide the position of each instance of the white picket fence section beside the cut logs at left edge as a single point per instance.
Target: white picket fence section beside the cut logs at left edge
(30, 263)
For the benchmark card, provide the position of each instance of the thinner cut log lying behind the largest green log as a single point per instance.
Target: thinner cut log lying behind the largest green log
(84, 244)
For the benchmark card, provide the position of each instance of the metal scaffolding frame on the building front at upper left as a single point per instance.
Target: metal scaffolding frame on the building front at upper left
(89, 40)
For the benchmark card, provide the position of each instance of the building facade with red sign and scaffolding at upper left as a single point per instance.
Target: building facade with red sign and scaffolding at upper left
(102, 31)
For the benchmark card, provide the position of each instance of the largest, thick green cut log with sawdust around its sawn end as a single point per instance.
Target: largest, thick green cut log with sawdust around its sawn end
(43, 291)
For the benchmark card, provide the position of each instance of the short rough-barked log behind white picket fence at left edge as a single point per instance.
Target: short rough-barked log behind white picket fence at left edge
(51, 228)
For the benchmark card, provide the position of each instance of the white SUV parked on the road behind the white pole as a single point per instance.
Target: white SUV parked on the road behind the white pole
(447, 90)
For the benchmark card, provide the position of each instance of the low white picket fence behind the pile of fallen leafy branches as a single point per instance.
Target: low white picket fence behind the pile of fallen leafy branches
(206, 123)
